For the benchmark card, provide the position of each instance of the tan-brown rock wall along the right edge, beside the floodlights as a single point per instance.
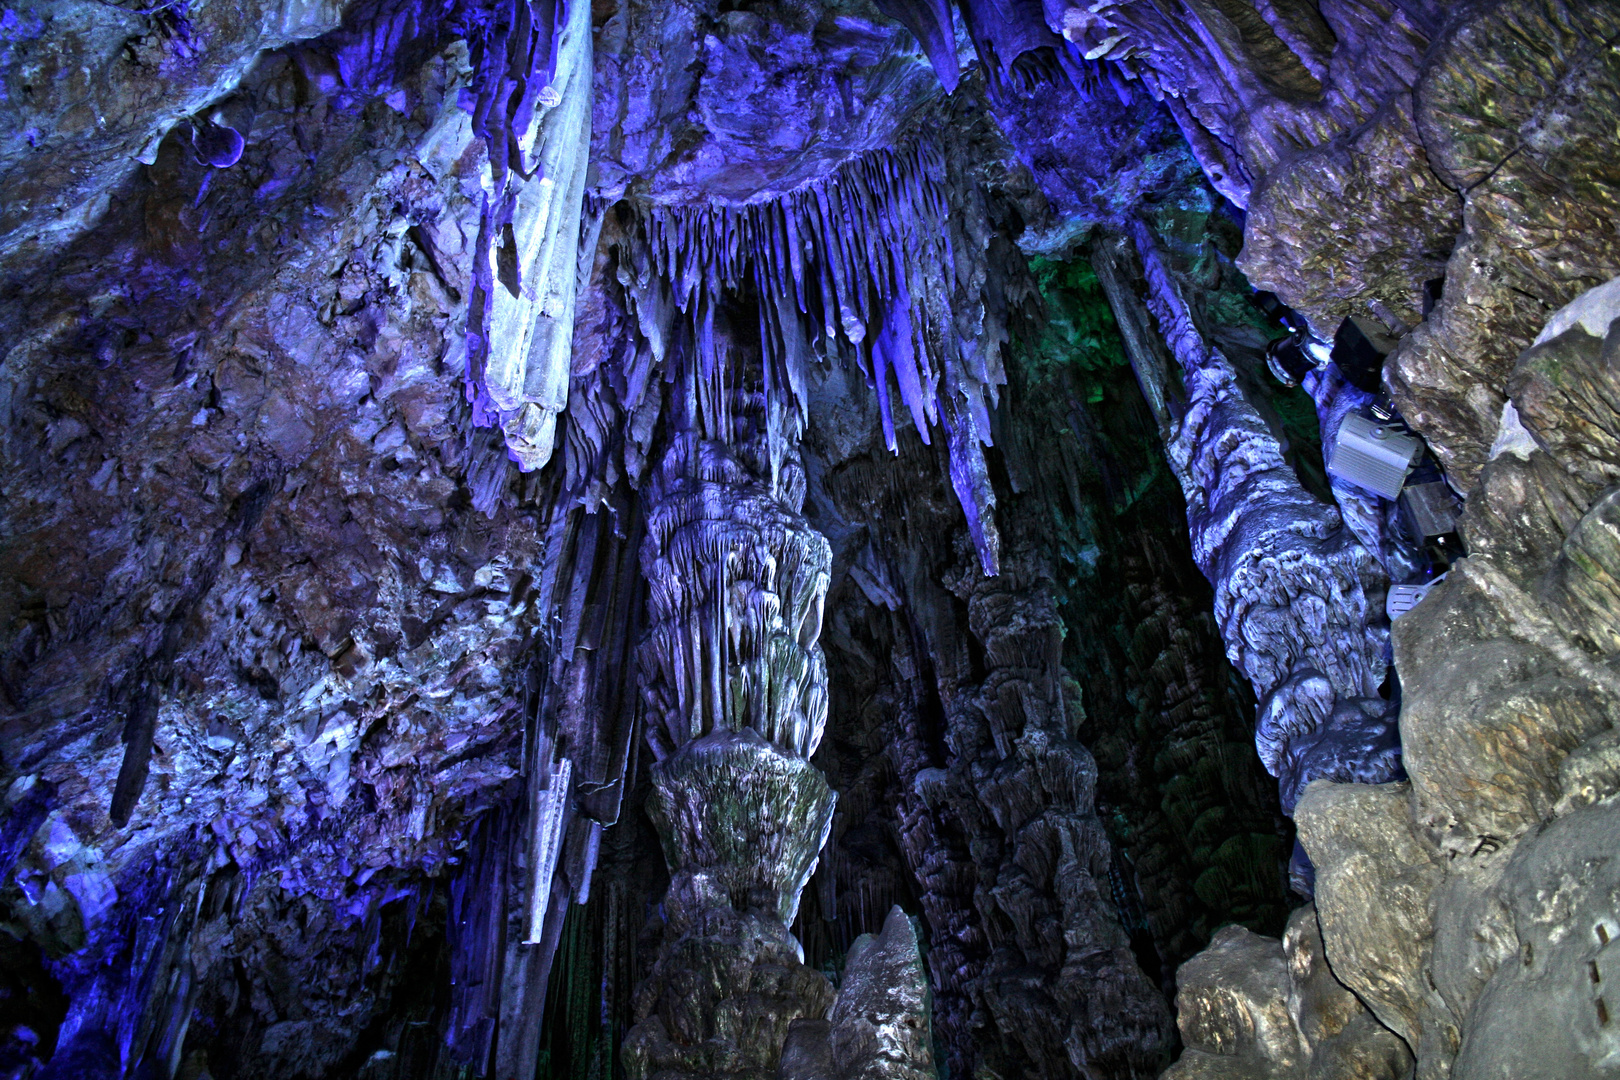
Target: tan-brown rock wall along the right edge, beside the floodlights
(1507, 694)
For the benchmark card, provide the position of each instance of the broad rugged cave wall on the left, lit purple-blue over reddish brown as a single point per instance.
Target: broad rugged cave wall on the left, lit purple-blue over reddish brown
(257, 521)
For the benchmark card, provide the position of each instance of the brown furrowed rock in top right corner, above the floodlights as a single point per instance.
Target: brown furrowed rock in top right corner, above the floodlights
(1516, 109)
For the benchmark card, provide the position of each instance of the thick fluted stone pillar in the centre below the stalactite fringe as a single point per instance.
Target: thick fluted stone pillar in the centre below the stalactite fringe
(736, 704)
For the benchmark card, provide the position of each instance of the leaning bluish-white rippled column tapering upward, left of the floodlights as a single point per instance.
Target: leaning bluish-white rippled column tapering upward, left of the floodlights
(1290, 580)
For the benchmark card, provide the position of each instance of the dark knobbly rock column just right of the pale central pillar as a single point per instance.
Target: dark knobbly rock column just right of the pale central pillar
(1033, 967)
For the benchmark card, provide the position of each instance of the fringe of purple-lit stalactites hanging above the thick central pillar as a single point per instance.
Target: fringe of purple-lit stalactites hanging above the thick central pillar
(890, 263)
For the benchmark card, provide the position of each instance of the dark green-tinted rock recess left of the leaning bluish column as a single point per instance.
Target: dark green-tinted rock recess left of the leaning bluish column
(1195, 827)
